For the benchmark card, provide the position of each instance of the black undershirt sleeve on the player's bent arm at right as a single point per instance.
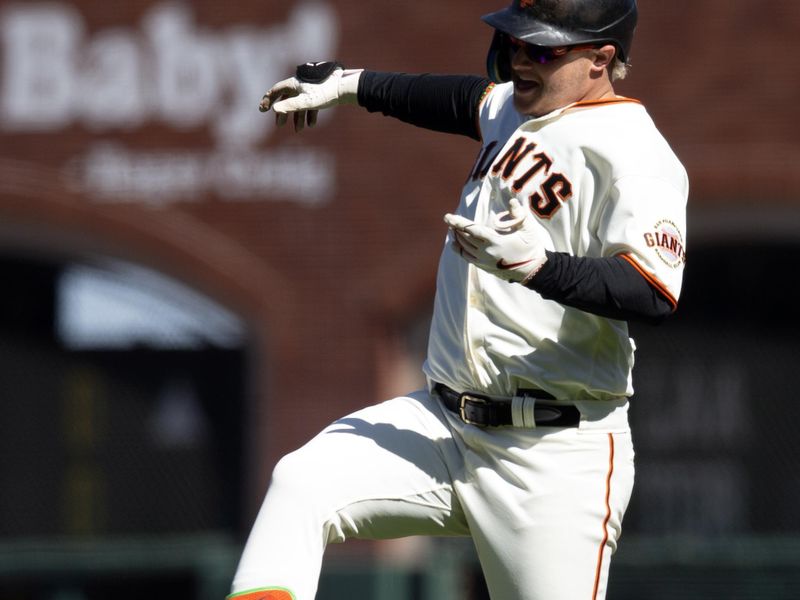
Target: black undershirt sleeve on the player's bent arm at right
(609, 287)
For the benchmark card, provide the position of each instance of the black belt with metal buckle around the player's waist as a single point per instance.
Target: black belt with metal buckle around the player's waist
(485, 411)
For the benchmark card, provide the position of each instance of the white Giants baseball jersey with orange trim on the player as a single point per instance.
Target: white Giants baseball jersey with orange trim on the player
(601, 181)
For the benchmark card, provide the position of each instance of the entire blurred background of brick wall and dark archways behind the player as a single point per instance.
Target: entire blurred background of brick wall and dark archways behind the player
(188, 292)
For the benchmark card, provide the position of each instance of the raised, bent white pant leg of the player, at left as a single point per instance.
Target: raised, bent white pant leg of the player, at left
(378, 473)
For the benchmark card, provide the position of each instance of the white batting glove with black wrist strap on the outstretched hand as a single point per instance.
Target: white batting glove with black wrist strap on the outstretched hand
(315, 86)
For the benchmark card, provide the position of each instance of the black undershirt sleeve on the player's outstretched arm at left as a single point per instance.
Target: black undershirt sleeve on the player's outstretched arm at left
(445, 103)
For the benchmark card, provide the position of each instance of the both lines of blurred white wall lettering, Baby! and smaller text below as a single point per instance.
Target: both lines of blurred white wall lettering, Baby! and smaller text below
(171, 72)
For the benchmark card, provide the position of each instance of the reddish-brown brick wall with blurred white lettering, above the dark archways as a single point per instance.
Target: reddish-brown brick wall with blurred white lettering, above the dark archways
(131, 130)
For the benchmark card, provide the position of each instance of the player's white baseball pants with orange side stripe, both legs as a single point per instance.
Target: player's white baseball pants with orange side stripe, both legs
(544, 506)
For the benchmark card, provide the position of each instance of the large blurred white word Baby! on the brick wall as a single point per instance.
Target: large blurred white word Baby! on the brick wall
(171, 71)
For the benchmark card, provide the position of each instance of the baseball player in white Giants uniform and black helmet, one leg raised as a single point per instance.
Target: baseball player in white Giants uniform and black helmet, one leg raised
(571, 223)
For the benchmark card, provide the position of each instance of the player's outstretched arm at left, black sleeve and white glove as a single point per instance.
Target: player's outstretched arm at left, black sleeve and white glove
(445, 103)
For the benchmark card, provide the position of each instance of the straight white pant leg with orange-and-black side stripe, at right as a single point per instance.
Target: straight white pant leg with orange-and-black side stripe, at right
(545, 509)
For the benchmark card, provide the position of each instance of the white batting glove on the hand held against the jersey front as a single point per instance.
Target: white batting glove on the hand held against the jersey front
(512, 249)
